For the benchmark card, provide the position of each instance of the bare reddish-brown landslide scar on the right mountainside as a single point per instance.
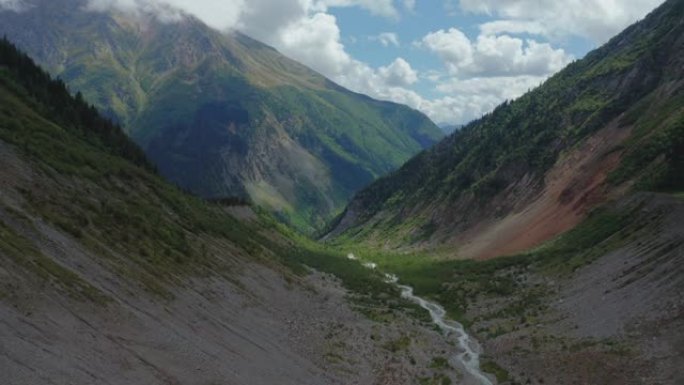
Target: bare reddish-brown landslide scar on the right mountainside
(574, 185)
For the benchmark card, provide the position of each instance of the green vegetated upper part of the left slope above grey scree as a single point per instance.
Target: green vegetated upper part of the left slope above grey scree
(69, 168)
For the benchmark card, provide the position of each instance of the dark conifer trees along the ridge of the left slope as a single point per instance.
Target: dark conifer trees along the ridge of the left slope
(70, 112)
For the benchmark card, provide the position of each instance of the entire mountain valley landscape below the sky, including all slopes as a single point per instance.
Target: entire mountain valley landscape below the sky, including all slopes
(168, 240)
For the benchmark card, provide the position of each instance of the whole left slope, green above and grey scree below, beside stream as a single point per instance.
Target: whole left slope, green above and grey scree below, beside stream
(110, 275)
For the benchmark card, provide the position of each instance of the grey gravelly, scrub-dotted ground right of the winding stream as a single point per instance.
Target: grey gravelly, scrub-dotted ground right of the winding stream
(600, 304)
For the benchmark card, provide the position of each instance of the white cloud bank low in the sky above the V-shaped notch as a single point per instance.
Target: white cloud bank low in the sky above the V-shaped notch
(482, 73)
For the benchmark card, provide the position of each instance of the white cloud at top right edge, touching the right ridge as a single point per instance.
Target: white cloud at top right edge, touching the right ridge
(597, 20)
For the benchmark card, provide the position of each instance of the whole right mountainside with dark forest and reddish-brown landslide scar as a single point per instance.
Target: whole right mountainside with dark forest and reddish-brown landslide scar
(534, 167)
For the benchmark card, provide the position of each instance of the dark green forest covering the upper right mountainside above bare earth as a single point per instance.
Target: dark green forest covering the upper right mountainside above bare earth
(526, 136)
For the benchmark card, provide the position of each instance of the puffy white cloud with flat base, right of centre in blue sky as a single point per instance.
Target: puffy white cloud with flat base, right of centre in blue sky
(492, 55)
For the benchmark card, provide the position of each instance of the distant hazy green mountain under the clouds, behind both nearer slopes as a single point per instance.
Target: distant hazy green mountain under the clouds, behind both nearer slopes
(223, 115)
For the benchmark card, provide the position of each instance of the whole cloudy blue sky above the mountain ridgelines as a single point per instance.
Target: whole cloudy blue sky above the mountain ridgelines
(451, 59)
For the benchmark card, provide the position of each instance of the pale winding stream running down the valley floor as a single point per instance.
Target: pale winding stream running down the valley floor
(468, 356)
